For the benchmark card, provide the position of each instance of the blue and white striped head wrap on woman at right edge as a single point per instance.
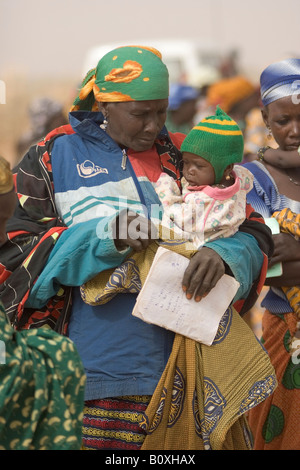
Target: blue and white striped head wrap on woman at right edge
(280, 80)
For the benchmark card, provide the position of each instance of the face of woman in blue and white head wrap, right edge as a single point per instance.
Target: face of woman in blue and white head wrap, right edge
(283, 117)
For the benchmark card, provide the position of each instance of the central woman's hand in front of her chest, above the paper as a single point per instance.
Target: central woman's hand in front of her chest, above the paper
(134, 231)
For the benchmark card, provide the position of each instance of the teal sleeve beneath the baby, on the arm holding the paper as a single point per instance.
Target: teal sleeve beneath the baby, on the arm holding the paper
(243, 256)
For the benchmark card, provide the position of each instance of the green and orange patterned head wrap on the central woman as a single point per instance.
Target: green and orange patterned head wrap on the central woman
(129, 73)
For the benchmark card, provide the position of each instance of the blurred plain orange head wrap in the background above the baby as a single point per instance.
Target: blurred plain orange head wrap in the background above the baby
(229, 91)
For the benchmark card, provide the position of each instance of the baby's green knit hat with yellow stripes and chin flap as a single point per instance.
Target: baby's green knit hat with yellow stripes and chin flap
(218, 139)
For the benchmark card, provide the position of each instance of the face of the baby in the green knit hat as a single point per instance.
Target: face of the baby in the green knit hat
(196, 170)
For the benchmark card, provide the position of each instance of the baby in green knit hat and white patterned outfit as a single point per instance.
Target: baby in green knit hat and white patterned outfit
(212, 200)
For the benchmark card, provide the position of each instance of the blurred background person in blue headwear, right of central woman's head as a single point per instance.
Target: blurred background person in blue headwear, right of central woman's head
(182, 108)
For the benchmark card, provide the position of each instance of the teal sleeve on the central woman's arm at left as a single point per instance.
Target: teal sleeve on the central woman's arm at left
(81, 252)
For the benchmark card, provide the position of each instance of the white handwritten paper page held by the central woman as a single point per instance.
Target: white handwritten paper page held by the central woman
(162, 301)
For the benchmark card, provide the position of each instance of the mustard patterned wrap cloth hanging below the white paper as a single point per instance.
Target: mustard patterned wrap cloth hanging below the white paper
(205, 391)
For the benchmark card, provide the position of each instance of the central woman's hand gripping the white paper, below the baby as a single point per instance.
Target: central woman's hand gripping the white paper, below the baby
(205, 268)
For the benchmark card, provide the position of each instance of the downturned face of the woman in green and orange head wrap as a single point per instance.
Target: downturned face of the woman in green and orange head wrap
(135, 124)
